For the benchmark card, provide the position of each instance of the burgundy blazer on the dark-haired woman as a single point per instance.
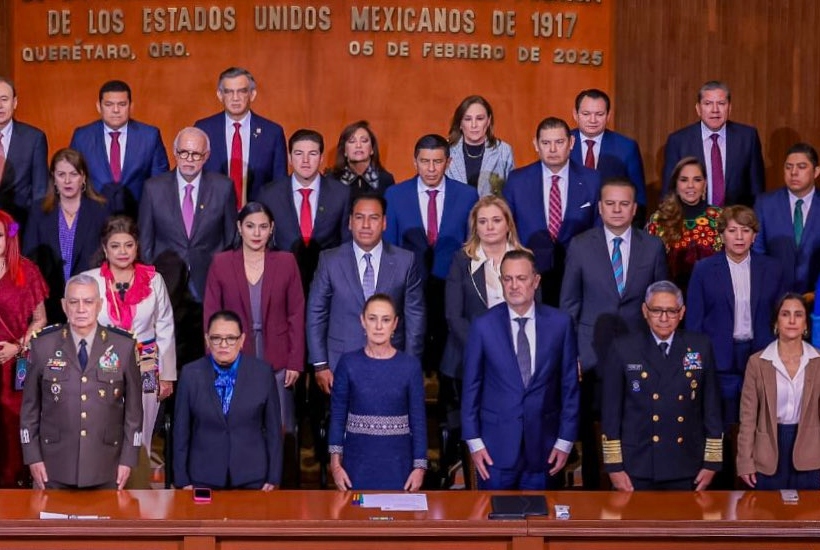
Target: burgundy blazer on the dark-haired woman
(283, 304)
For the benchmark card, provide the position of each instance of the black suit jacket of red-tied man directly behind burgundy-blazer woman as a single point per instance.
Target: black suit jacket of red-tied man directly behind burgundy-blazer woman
(330, 228)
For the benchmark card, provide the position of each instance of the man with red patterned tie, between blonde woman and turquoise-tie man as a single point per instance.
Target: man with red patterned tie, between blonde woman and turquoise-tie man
(552, 200)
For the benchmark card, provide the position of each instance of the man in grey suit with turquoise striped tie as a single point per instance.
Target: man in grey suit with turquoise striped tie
(608, 270)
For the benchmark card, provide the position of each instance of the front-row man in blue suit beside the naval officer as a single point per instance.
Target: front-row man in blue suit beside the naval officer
(519, 410)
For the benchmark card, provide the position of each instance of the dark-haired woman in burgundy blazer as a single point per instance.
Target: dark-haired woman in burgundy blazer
(264, 288)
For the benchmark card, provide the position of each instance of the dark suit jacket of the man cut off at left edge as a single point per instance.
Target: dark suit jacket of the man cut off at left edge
(24, 179)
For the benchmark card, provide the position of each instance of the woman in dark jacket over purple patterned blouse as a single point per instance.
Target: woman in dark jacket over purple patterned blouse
(63, 234)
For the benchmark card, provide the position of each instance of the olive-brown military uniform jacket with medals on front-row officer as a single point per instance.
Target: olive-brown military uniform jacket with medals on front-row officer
(82, 424)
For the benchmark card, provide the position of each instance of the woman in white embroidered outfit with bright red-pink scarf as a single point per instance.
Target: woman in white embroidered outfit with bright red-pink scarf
(134, 298)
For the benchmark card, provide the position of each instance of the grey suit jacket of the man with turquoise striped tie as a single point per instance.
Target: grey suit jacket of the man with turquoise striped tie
(590, 295)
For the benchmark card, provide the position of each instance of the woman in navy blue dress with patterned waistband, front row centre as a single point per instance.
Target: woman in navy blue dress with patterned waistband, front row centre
(378, 432)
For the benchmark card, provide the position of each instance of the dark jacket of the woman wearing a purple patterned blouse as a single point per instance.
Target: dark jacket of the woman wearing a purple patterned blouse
(42, 245)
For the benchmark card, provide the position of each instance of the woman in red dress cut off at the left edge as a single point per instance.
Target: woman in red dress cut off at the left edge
(22, 291)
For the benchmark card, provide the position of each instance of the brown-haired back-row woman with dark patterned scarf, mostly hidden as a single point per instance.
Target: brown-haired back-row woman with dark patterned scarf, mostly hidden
(357, 162)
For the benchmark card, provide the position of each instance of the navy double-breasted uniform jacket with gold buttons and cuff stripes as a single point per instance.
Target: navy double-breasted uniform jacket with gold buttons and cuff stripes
(661, 416)
